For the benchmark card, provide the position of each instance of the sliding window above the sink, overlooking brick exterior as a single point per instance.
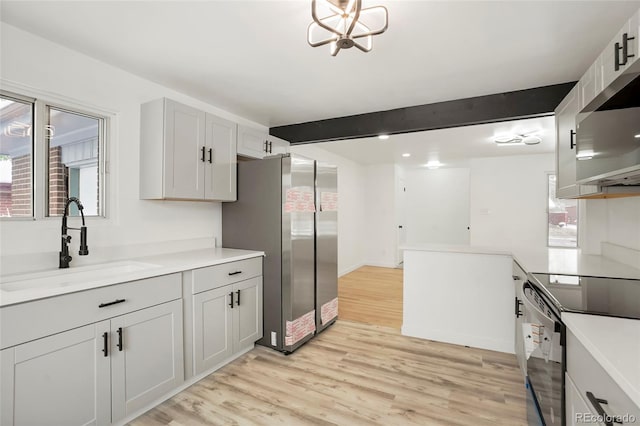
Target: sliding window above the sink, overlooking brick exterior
(52, 147)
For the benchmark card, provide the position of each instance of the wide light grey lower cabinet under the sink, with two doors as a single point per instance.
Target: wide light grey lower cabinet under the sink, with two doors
(126, 353)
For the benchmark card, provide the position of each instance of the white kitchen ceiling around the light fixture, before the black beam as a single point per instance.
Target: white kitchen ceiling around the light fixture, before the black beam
(251, 58)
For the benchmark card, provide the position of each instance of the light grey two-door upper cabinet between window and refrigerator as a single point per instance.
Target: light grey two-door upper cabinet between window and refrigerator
(186, 153)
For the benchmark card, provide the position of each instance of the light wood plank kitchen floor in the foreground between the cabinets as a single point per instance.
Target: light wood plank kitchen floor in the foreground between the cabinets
(354, 374)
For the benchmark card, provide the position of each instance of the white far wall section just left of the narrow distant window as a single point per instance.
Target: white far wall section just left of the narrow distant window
(509, 201)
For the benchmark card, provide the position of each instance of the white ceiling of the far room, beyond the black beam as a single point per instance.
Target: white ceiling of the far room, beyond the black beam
(451, 147)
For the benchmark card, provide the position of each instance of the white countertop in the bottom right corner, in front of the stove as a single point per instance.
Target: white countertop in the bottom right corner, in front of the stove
(615, 345)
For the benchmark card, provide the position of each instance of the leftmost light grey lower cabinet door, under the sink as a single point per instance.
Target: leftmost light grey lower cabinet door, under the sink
(57, 380)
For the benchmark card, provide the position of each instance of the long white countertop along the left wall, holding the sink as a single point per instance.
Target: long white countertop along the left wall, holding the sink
(25, 287)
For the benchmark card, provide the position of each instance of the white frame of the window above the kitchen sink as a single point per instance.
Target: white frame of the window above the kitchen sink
(40, 153)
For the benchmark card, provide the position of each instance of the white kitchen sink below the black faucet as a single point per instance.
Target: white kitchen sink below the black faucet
(71, 276)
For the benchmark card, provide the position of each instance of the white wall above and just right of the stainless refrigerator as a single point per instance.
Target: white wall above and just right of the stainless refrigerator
(351, 206)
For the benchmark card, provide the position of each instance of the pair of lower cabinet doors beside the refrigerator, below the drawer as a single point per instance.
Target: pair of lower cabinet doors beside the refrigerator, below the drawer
(227, 320)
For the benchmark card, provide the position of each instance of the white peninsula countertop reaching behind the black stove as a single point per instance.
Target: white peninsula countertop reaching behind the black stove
(550, 261)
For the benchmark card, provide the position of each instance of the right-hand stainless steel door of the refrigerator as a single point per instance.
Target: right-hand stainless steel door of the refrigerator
(326, 244)
